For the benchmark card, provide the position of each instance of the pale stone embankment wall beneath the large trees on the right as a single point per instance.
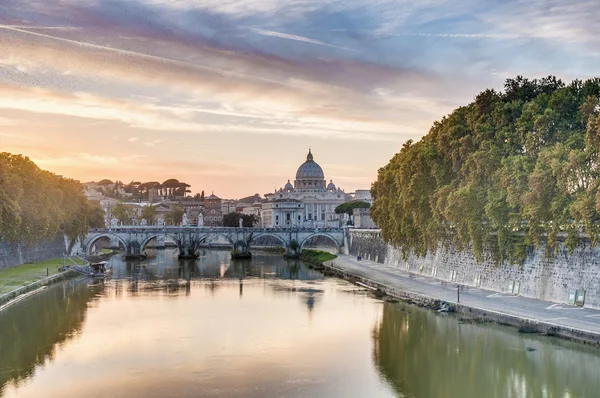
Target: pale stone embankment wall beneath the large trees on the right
(538, 277)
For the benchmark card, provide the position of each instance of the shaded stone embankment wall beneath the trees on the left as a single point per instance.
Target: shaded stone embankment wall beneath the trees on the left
(12, 254)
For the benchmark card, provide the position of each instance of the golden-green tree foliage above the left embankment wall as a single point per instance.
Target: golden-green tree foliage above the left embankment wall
(36, 204)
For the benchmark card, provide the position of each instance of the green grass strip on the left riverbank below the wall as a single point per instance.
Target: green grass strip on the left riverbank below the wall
(15, 277)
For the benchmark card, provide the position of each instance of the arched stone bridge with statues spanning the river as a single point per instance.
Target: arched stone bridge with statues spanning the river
(188, 239)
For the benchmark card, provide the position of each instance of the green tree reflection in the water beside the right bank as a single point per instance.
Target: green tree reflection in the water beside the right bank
(423, 354)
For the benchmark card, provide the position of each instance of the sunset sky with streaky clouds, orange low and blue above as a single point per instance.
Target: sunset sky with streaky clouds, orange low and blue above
(228, 95)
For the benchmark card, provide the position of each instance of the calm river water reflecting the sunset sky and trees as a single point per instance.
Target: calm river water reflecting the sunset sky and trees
(265, 328)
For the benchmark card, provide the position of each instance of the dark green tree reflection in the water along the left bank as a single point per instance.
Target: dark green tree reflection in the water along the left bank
(30, 338)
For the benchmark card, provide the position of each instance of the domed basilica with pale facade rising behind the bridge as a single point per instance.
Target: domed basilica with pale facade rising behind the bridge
(309, 202)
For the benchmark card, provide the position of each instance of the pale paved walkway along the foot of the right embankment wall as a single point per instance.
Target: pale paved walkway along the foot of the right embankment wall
(560, 314)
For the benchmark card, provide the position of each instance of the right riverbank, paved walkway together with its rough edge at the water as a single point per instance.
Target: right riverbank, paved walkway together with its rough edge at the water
(529, 315)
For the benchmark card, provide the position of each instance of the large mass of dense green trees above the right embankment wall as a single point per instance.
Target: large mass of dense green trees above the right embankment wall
(505, 172)
